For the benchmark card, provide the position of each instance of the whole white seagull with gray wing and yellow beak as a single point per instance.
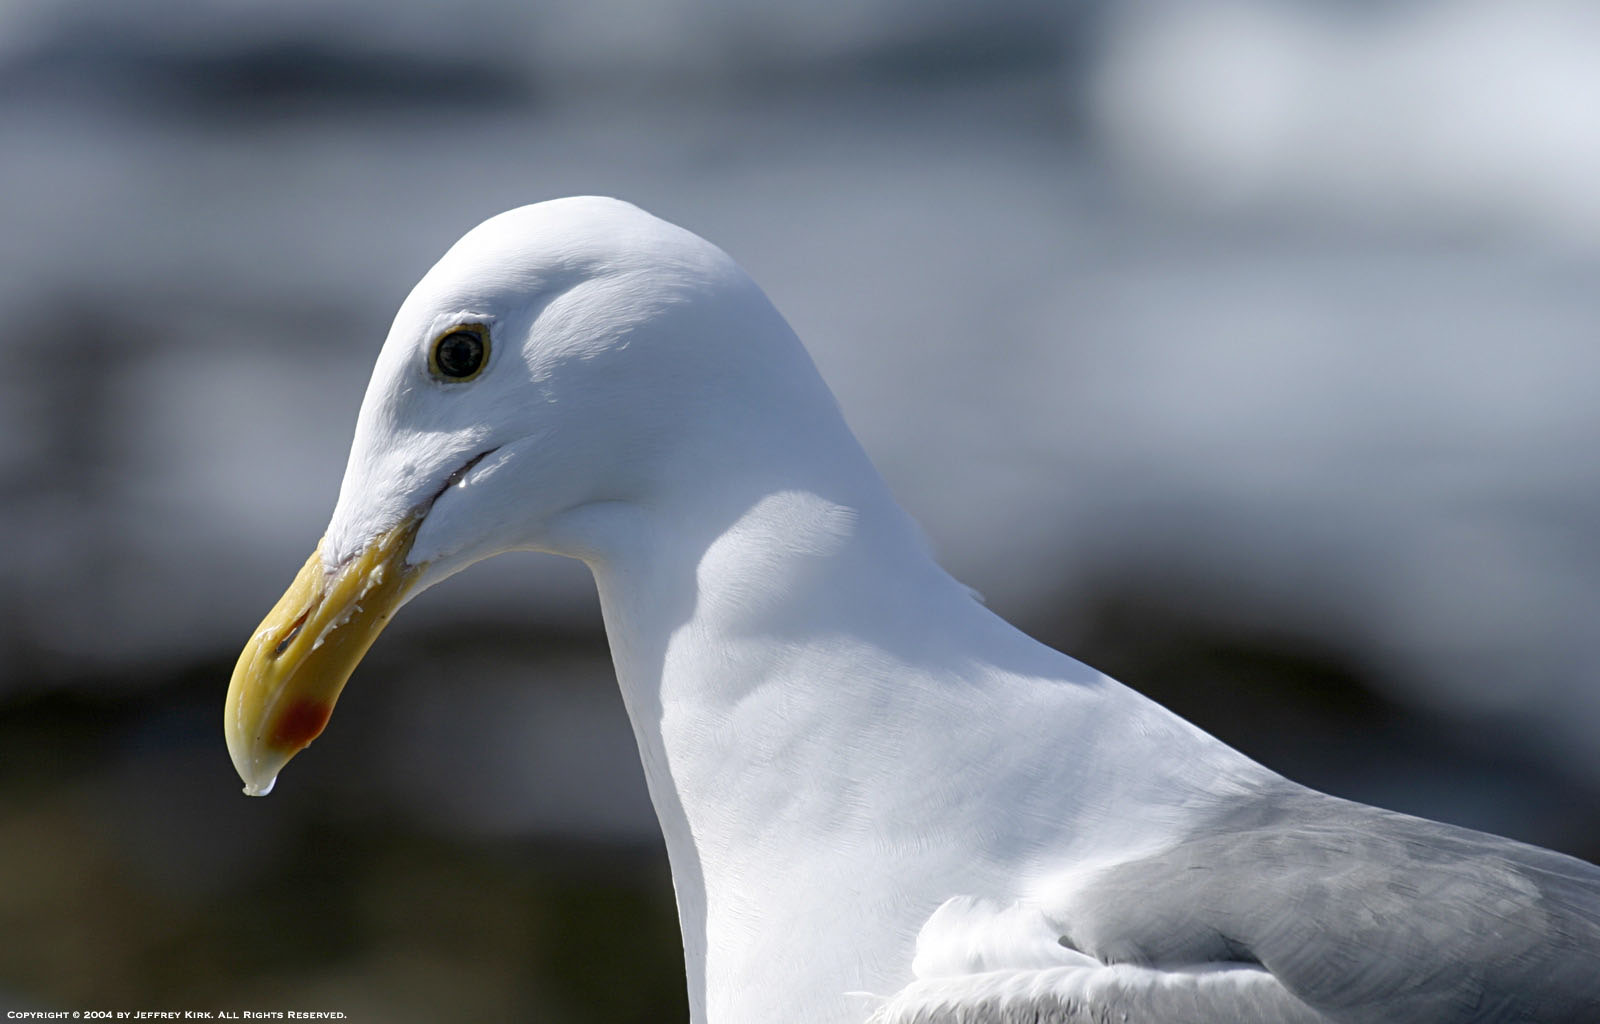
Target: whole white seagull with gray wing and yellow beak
(881, 802)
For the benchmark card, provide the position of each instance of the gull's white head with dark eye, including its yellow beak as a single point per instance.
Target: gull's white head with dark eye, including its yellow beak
(561, 361)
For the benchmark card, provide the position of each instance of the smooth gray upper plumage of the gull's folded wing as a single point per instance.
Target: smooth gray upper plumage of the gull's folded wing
(1366, 916)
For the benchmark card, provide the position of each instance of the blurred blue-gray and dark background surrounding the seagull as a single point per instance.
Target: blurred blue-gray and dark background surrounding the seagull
(1246, 350)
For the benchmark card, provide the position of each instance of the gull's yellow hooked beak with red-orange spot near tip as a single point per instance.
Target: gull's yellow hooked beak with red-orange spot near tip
(294, 670)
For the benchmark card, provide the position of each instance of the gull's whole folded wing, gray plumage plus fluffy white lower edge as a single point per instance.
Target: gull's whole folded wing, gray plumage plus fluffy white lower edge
(1298, 908)
